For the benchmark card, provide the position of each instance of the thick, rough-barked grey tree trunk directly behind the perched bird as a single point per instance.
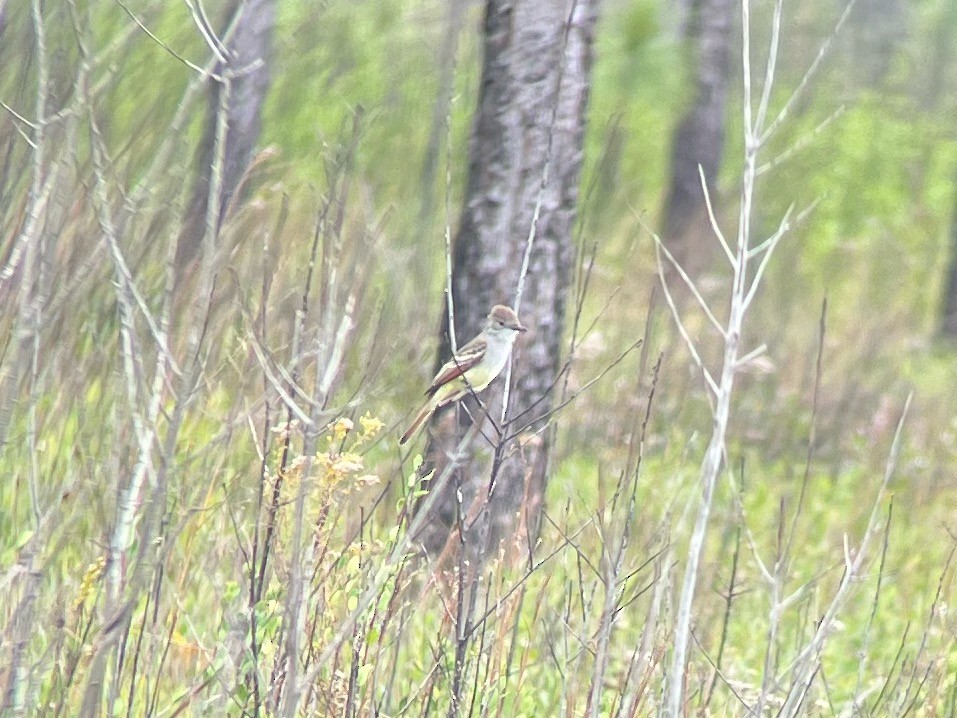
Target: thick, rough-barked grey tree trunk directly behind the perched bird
(532, 101)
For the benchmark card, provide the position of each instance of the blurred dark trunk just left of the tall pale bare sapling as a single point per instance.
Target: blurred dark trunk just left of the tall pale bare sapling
(699, 139)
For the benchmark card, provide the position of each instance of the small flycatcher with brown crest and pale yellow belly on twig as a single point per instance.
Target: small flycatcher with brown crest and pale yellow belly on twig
(473, 367)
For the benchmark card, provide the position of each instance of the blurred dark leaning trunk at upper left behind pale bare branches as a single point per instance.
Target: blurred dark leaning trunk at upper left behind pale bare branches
(251, 43)
